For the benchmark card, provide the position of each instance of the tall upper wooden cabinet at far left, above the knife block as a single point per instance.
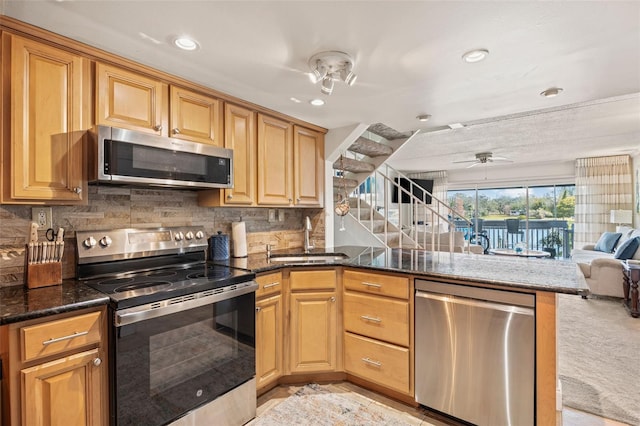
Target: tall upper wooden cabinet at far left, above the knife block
(48, 87)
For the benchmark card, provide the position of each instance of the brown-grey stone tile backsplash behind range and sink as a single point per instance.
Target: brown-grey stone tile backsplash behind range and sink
(112, 207)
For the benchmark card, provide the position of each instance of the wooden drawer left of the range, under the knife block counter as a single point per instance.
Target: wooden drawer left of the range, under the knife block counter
(59, 336)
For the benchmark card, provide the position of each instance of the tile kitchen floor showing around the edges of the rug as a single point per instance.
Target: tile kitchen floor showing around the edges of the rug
(414, 416)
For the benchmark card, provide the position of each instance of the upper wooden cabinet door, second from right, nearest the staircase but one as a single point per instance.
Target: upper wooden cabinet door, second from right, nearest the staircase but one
(275, 163)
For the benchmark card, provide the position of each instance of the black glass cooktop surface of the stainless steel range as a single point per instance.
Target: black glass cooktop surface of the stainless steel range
(132, 289)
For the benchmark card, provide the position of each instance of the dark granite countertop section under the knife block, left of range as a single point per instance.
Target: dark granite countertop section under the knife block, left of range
(18, 303)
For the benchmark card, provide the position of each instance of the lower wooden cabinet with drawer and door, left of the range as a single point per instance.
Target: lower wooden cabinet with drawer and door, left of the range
(57, 370)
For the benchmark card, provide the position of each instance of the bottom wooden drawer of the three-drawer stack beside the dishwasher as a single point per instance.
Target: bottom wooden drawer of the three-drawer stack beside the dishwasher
(382, 363)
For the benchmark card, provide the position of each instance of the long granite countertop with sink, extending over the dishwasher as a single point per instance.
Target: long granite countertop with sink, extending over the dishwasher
(558, 276)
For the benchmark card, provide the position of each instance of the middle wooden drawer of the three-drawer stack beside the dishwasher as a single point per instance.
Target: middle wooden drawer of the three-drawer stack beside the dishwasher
(377, 317)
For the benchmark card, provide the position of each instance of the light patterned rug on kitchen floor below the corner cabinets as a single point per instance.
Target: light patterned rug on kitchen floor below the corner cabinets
(317, 405)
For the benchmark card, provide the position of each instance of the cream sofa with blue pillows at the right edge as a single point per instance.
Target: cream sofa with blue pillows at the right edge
(601, 270)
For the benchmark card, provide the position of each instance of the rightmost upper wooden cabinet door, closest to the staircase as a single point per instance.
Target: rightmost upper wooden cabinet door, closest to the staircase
(308, 164)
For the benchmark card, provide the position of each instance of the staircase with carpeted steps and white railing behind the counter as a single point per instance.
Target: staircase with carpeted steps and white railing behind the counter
(362, 178)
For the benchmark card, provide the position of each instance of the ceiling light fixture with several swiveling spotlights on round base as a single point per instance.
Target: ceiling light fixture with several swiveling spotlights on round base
(329, 67)
